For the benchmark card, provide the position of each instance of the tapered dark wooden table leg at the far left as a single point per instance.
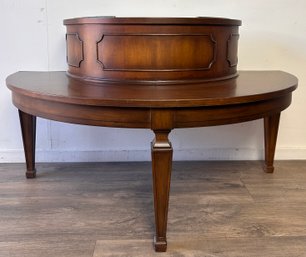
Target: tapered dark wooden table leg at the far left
(28, 129)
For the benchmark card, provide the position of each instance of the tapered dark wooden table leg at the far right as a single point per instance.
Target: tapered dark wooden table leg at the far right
(271, 124)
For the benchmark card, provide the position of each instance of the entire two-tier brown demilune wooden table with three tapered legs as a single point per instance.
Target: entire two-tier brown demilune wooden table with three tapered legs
(152, 73)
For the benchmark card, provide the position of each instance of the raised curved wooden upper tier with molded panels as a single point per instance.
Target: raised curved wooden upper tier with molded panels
(152, 50)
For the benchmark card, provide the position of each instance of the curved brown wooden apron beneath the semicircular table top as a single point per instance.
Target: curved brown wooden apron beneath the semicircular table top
(136, 117)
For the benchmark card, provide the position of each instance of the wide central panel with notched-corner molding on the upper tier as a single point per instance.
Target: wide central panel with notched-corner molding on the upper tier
(156, 52)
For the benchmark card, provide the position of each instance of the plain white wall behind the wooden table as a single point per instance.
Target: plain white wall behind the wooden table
(272, 37)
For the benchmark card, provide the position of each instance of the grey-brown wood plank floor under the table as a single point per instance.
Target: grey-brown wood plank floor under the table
(217, 209)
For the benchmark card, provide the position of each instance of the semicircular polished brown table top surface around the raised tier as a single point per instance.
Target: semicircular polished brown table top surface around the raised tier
(249, 86)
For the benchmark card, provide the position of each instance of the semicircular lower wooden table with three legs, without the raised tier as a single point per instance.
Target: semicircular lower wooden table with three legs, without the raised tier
(159, 107)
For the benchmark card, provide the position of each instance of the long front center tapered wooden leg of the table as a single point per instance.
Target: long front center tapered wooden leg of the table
(161, 169)
